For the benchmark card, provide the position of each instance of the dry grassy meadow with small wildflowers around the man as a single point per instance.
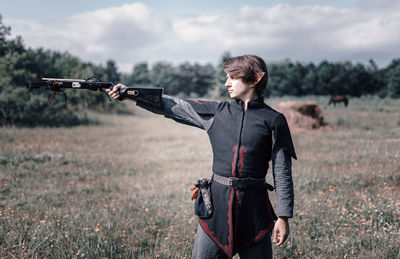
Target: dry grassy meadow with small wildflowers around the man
(121, 189)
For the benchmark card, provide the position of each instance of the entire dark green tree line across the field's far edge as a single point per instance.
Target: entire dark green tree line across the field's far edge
(21, 107)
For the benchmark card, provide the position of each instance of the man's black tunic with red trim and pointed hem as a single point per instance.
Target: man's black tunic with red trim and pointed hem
(242, 142)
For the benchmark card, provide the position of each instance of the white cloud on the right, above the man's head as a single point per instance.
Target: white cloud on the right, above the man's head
(307, 33)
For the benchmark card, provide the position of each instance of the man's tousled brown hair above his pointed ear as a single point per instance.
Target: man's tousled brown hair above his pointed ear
(246, 68)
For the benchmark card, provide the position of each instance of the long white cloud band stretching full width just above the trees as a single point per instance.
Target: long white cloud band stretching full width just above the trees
(133, 33)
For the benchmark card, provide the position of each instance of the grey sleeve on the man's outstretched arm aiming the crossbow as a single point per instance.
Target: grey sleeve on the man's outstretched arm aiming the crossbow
(180, 111)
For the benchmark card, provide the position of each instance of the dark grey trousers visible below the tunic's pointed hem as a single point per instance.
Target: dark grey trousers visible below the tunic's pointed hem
(206, 248)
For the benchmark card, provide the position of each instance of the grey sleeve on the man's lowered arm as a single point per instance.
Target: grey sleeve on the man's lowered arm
(282, 174)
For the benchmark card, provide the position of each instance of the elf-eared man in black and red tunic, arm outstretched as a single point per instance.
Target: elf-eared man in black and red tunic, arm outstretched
(245, 135)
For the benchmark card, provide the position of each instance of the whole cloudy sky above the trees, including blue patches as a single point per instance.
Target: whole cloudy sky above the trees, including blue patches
(201, 30)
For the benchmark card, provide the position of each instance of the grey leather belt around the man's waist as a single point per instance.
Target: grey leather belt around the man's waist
(241, 183)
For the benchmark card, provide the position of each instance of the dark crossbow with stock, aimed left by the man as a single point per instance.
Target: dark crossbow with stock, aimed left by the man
(149, 95)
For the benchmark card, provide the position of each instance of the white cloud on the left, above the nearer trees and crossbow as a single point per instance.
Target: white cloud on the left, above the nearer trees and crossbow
(122, 33)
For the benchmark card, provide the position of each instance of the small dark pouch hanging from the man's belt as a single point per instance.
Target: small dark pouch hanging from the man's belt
(203, 206)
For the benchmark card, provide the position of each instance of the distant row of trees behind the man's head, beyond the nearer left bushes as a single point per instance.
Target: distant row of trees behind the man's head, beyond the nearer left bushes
(285, 78)
